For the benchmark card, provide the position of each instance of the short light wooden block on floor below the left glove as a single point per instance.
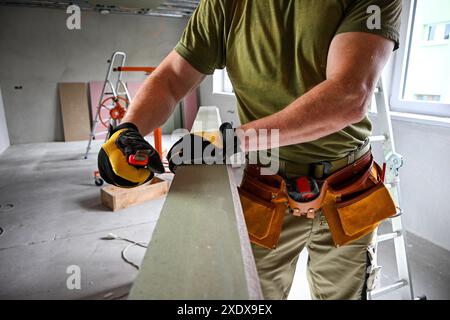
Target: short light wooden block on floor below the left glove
(119, 198)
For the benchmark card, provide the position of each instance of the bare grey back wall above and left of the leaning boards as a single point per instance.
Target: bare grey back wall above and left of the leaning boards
(38, 51)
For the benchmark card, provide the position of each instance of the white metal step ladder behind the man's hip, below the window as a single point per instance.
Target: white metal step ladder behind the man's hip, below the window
(394, 162)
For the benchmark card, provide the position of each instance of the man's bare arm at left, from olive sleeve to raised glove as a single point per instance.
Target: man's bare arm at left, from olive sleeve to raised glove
(158, 96)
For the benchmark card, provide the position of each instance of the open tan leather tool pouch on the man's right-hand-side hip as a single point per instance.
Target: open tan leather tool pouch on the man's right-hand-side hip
(357, 201)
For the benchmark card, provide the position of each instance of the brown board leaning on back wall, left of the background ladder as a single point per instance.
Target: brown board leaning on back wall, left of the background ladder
(74, 110)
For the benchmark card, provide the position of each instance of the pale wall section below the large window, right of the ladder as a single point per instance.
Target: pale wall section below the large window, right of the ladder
(425, 179)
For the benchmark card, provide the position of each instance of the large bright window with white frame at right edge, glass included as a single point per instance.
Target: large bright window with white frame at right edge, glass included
(422, 75)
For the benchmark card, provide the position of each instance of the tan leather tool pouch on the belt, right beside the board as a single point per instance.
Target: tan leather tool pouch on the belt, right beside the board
(264, 204)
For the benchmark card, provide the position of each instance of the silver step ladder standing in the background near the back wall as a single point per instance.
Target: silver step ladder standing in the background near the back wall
(111, 87)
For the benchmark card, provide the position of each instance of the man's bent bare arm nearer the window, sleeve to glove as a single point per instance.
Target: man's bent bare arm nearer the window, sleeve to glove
(355, 62)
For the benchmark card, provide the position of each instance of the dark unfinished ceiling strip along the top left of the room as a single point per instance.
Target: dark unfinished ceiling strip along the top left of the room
(165, 8)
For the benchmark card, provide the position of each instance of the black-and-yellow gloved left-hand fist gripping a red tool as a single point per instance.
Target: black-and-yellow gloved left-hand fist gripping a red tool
(123, 141)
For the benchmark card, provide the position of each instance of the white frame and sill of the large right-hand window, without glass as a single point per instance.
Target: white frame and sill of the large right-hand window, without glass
(397, 103)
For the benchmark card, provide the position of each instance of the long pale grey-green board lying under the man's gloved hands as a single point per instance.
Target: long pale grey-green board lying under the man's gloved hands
(200, 247)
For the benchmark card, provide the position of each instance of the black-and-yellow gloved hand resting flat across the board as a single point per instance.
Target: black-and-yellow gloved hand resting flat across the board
(194, 149)
